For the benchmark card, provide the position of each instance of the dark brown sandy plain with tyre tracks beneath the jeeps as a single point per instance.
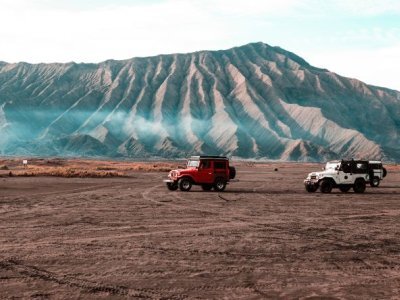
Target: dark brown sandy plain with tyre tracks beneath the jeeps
(264, 238)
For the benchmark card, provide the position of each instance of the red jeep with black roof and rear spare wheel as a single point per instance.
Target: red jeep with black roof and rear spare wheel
(207, 171)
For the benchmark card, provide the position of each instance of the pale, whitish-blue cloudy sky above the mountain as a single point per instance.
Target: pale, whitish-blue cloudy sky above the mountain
(355, 38)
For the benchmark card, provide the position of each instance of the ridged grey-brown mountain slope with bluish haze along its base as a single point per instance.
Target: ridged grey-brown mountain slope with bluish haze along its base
(254, 101)
